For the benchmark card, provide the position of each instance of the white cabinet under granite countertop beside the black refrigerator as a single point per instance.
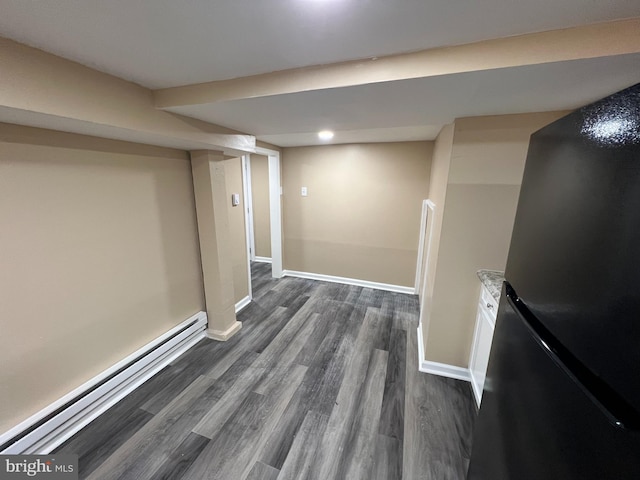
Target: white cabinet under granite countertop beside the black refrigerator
(482, 338)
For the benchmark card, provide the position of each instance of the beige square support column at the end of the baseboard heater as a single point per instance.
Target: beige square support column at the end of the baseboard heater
(215, 242)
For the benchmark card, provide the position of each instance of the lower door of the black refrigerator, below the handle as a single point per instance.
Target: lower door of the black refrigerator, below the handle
(537, 422)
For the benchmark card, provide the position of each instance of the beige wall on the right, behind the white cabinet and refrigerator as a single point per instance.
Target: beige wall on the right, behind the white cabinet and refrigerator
(487, 162)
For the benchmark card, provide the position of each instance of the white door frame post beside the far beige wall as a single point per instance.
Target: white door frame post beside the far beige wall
(275, 209)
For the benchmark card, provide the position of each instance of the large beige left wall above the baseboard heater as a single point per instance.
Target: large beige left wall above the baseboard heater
(99, 256)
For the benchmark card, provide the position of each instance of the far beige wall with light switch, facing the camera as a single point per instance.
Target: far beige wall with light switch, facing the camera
(361, 218)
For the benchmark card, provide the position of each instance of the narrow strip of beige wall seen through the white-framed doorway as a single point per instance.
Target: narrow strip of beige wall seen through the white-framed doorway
(260, 197)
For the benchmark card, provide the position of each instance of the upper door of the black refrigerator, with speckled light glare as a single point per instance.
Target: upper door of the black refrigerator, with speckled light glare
(575, 249)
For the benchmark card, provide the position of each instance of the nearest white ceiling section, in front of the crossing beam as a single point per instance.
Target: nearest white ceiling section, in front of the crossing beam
(164, 43)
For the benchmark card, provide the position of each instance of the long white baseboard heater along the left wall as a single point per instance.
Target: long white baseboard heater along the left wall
(50, 427)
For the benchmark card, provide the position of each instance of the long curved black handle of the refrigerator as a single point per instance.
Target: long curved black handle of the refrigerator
(617, 410)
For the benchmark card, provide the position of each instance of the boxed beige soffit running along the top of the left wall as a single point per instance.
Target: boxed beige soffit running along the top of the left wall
(38, 86)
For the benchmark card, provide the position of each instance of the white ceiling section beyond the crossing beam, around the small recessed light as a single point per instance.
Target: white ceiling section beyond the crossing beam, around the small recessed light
(419, 107)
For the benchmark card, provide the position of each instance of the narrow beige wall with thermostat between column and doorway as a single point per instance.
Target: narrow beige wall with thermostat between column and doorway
(237, 230)
